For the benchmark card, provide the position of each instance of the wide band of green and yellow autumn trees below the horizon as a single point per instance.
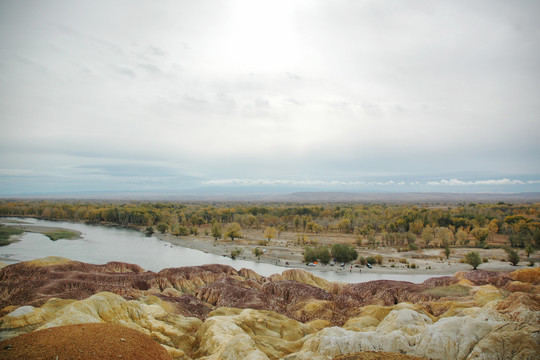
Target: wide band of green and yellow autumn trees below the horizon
(404, 225)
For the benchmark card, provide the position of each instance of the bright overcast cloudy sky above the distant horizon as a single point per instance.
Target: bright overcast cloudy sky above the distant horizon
(269, 95)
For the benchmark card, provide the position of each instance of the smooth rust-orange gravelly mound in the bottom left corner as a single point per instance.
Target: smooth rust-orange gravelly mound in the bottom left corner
(83, 342)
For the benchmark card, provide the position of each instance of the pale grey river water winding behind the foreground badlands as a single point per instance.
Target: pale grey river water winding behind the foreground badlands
(100, 244)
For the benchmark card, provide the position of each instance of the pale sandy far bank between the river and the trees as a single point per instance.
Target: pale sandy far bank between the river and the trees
(283, 251)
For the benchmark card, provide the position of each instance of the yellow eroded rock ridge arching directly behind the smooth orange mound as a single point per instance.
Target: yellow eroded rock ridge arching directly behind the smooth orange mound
(149, 315)
